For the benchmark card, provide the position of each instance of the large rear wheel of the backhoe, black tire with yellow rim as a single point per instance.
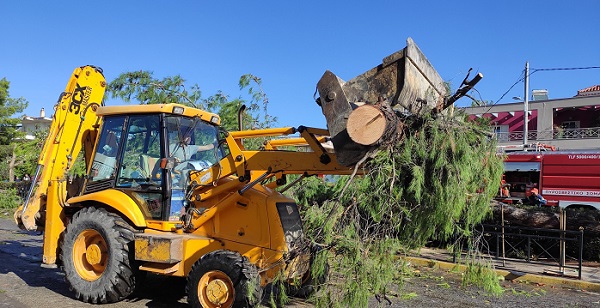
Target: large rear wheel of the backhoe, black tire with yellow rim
(97, 256)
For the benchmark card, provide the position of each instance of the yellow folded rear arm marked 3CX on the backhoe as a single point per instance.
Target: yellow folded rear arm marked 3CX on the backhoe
(73, 127)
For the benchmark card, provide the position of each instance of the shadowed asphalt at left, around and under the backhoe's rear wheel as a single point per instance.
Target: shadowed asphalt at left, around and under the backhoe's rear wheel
(24, 283)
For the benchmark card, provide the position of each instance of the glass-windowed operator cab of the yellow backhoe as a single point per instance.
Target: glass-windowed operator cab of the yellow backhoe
(129, 154)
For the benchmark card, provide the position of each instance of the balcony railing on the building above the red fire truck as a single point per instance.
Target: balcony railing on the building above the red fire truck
(571, 133)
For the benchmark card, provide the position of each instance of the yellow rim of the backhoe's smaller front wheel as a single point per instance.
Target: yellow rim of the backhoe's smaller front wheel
(215, 289)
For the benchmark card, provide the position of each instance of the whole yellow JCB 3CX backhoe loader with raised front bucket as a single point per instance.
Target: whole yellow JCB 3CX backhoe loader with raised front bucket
(168, 191)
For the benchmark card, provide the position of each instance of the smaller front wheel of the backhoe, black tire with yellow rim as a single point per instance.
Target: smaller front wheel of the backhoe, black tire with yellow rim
(223, 279)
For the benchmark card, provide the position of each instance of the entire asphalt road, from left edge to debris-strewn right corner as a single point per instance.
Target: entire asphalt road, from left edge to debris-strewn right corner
(23, 284)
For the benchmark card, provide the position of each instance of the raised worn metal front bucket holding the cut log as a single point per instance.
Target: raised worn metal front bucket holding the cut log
(405, 79)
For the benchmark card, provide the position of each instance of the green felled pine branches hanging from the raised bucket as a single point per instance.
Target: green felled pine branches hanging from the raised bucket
(433, 184)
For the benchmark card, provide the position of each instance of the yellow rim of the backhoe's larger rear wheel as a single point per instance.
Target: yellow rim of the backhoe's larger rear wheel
(90, 254)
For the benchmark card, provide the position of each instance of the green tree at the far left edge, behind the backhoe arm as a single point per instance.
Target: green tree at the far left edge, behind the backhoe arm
(9, 132)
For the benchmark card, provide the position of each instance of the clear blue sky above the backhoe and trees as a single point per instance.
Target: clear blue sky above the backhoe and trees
(289, 44)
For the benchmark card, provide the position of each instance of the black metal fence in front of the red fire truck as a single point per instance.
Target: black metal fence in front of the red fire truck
(535, 245)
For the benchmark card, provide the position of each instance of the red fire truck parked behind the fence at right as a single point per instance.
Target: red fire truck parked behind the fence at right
(565, 179)
